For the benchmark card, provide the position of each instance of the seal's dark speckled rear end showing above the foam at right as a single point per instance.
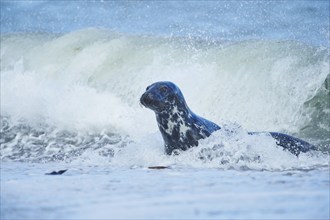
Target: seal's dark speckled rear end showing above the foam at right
(292, 144)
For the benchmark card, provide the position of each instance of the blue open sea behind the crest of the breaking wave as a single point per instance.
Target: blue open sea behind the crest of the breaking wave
(305, 21)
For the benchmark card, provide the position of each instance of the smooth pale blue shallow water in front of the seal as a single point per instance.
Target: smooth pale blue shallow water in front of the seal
(102, 192)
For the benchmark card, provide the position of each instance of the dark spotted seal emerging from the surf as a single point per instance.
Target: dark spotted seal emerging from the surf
(181, 129)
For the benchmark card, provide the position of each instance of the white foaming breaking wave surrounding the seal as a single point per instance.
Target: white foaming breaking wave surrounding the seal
(76, 96)
